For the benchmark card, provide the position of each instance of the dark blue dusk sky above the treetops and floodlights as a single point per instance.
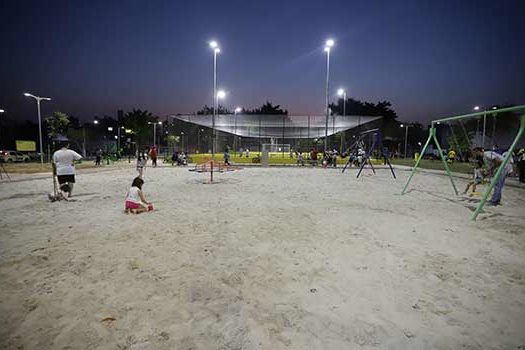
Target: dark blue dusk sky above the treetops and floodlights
(429, 58)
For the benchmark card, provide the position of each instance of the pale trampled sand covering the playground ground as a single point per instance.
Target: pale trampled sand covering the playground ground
(267, 259)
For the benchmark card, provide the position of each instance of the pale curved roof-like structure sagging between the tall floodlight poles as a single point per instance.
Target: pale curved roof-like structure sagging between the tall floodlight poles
(279, 126)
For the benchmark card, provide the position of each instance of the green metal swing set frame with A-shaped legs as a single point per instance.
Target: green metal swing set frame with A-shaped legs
(432, 136)
